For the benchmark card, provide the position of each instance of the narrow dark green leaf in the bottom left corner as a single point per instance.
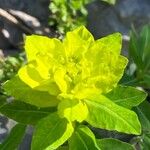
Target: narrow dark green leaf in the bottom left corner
(14, 138)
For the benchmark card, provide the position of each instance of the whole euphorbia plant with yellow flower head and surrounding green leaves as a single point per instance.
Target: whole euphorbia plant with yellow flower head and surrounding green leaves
(76, 80)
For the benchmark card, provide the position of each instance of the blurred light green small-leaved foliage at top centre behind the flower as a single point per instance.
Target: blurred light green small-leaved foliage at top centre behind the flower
(67, 15)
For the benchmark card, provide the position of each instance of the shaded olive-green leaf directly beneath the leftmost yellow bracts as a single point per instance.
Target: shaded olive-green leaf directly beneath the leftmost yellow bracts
(23, 92)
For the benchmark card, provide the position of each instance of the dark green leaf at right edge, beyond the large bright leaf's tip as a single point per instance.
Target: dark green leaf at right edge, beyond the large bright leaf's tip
(143, 112)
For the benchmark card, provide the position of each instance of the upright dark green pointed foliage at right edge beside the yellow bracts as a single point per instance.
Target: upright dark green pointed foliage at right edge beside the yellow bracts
(139, 53)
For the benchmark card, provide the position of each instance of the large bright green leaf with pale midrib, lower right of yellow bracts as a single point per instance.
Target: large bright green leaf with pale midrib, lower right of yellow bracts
(105, 114)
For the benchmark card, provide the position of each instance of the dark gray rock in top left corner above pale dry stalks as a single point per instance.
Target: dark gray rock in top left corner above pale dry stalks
(36, 8)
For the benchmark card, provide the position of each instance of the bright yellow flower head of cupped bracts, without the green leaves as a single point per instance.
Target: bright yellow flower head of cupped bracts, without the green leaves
(74, 69)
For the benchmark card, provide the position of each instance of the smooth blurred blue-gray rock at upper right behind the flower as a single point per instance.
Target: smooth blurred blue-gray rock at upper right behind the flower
(104, 19)
